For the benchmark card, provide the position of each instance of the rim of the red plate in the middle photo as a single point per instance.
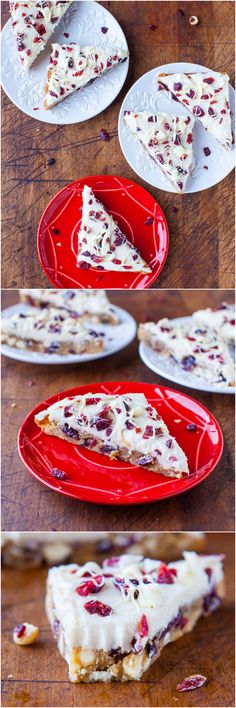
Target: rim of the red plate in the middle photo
(189, 484)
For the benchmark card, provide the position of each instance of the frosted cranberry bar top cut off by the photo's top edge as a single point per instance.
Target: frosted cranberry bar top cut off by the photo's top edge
(33, 23)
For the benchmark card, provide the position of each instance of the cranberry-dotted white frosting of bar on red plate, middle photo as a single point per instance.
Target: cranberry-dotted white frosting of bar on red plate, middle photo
(126, 421)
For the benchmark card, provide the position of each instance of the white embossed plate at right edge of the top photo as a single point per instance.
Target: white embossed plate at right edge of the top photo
(143, 96)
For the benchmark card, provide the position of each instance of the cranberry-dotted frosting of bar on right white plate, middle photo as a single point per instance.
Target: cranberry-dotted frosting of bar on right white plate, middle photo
(197, 348)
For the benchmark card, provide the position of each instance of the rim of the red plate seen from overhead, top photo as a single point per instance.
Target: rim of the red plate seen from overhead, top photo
(91, 181)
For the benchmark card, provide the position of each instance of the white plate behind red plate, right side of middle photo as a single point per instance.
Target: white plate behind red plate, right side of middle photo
(173, 372)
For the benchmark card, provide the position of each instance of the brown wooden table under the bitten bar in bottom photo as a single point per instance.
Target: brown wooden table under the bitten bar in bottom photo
(37, 675)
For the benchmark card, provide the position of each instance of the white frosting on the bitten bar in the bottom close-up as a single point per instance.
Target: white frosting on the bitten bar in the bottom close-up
(162, 591)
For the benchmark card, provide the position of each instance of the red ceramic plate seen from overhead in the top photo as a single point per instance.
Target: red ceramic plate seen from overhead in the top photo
(130, 205)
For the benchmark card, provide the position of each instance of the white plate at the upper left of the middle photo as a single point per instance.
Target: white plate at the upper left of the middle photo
(115, 338)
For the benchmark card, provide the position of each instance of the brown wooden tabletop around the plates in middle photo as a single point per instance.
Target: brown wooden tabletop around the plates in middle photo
(28, 505)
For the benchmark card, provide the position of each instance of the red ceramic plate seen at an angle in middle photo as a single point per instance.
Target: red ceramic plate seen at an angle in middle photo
(95, 478)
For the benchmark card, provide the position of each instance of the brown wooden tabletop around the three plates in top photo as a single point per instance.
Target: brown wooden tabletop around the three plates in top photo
(201, 231)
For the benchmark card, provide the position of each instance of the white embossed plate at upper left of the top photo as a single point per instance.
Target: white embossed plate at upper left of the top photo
(83, 22)
